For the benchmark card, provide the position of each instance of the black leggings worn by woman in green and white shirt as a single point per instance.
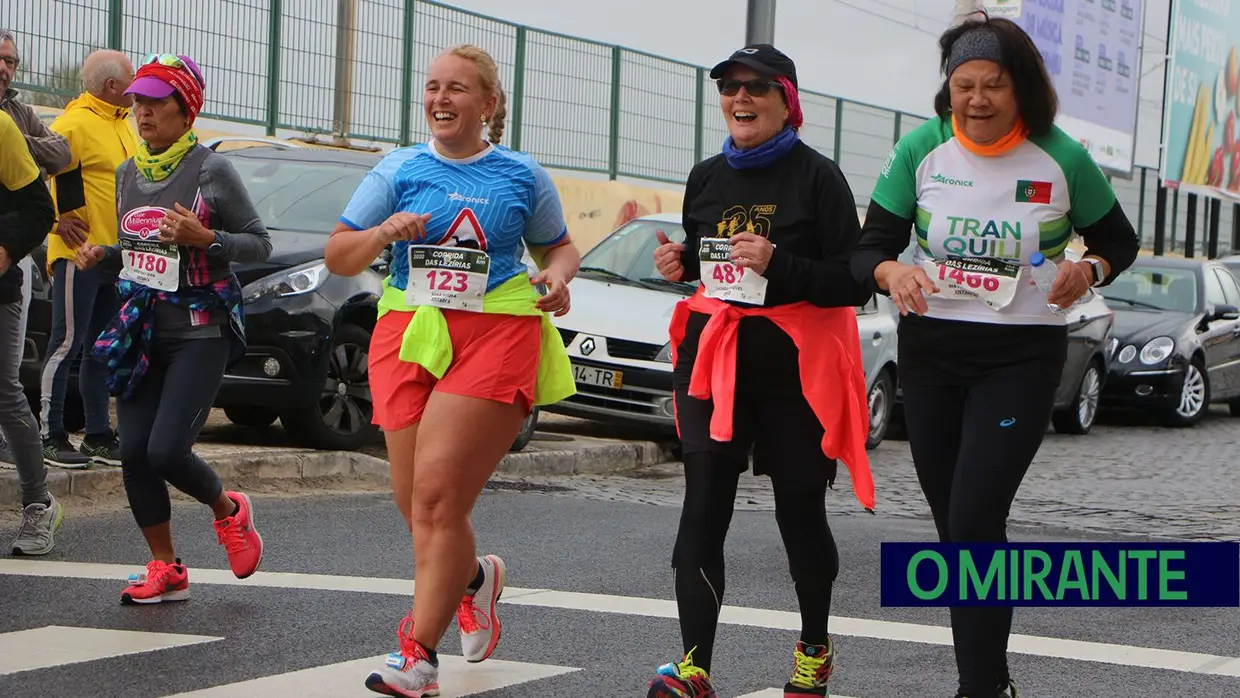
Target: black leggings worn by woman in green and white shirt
(972, 448)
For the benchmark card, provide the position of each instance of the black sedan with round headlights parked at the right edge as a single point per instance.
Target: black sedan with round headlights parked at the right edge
(1179, 339)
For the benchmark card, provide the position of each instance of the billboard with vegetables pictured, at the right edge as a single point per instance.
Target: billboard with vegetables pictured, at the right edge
(1201, 149)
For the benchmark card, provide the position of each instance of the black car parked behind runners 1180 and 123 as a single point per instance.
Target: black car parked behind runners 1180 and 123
(309, 332)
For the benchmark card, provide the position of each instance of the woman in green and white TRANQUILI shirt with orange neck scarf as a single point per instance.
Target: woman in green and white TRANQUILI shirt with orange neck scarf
(981, 190)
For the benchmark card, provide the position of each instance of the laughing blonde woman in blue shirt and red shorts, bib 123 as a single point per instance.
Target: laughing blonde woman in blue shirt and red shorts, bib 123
(463, 349)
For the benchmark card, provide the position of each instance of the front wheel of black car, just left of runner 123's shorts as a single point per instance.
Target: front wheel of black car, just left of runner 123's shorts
(340, 420)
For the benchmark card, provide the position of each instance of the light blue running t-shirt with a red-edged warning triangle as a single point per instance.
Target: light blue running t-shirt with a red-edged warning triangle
(495, 201)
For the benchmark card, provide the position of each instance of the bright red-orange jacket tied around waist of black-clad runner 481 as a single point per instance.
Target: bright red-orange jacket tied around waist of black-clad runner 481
(830, 366)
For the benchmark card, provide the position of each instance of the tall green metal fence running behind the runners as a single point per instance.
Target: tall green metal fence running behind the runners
(354, 69)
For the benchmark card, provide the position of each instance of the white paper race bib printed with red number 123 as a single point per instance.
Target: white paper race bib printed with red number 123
(448, 277)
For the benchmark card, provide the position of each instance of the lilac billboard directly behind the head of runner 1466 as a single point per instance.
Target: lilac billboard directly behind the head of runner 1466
(1093, 53)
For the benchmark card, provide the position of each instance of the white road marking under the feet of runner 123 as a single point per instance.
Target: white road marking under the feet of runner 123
(457, 678)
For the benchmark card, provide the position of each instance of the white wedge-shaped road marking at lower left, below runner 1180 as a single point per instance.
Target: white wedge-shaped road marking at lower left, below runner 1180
(56, 645)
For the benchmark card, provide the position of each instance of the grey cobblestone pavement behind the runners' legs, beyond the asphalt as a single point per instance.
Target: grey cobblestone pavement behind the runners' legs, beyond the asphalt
(1124, 478)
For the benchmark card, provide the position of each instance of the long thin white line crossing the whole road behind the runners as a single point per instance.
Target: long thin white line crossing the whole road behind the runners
(1076, 650)
